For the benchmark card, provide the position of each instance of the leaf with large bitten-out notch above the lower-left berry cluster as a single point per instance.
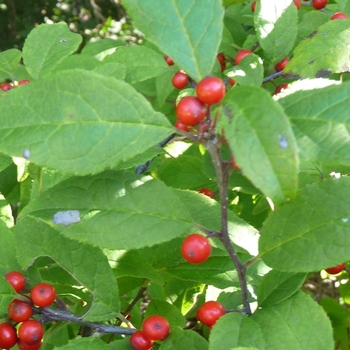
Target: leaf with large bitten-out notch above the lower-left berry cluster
(86, 264)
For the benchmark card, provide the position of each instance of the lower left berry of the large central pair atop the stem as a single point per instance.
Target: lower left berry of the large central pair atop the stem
(190, 110)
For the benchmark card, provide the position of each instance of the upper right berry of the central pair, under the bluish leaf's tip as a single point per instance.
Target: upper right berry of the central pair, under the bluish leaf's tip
(210, 90)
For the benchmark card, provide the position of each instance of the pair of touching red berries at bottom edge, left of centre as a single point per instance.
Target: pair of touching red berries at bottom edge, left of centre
(154, 328)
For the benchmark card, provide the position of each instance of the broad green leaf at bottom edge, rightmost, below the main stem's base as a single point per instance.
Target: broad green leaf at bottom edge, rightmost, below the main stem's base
(298, 323)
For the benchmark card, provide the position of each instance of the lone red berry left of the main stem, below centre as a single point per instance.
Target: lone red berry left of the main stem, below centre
(195, 248)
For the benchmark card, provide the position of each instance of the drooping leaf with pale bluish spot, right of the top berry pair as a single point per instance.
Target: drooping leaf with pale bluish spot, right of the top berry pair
(262, 141)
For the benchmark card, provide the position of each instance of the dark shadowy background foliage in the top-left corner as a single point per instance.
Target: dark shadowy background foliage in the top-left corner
(90, 18)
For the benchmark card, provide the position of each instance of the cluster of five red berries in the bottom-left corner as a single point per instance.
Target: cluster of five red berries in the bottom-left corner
(27, 333)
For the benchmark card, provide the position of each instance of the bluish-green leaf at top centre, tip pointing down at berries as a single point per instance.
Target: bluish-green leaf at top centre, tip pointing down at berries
(170, 26)
